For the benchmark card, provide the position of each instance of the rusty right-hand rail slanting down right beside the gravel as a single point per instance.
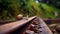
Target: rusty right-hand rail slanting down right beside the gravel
(45, 28)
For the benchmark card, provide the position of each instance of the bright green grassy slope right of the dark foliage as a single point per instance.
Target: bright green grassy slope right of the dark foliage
(49, 10)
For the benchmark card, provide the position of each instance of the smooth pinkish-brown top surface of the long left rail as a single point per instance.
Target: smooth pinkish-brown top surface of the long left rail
(14, 25)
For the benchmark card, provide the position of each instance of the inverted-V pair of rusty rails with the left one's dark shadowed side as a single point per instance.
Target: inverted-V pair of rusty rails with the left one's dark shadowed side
(21, 26)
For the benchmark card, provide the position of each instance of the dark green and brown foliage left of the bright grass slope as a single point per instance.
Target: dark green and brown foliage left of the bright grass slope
(11, 8)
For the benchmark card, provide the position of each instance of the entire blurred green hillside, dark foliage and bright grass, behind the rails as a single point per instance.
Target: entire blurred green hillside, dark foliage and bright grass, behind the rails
(11, 8)
